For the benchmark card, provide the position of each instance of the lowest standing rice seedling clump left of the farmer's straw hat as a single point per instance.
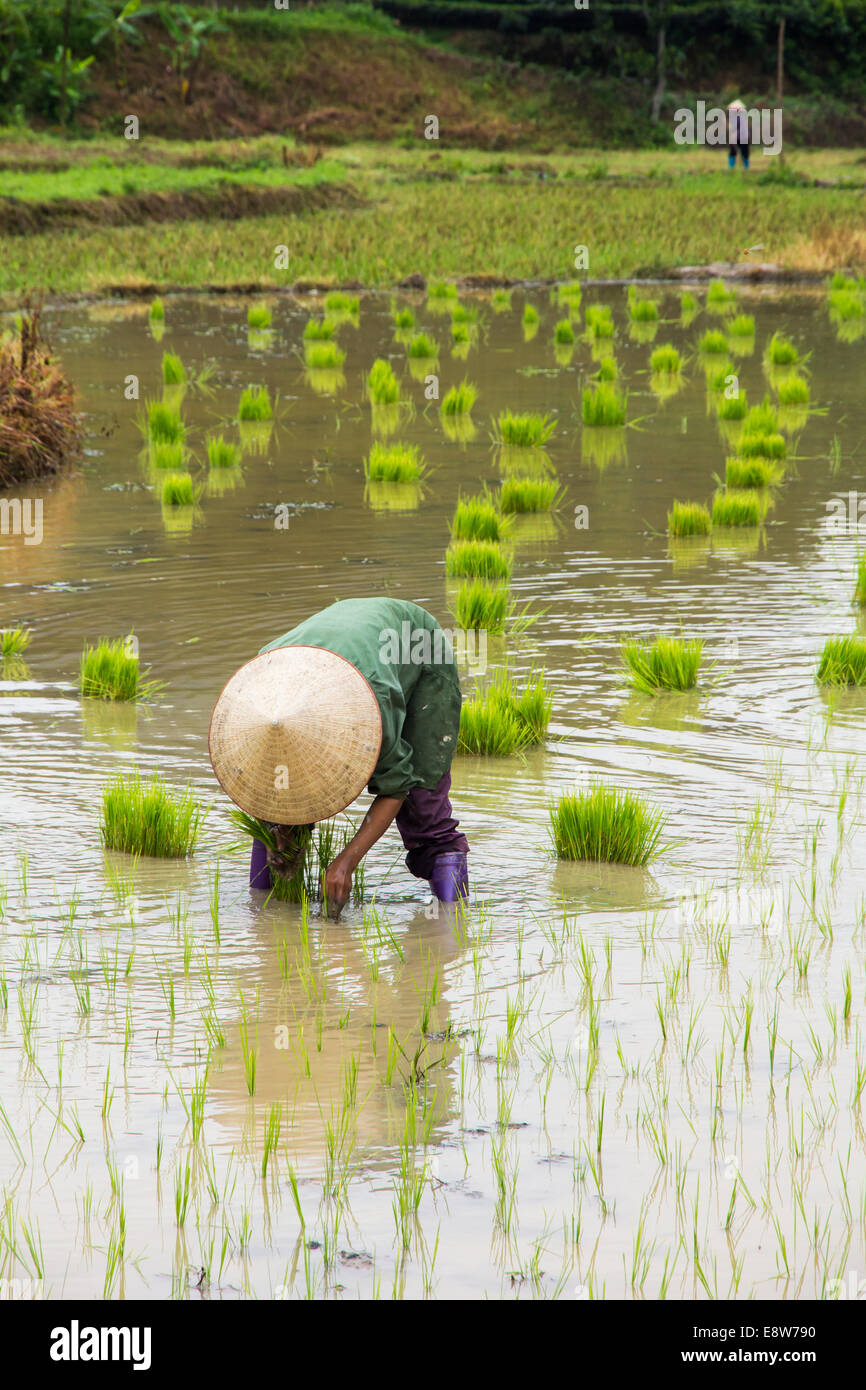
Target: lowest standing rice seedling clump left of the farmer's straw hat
(148, 818)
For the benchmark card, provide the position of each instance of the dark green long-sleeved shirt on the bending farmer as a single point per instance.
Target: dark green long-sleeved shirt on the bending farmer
(409, 662)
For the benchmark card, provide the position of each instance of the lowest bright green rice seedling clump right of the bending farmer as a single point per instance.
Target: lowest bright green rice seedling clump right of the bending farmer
(605, 825)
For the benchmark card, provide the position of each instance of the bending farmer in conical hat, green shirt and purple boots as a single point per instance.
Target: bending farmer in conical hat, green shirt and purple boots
(341, 703)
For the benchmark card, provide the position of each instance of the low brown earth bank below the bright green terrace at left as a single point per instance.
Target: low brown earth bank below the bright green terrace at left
(23, 219)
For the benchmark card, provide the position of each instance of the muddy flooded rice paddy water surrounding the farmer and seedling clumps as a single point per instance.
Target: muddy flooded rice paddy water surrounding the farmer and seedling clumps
(600, 1082)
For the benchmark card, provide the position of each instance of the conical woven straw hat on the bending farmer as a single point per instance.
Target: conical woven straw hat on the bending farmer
(295, 736)
